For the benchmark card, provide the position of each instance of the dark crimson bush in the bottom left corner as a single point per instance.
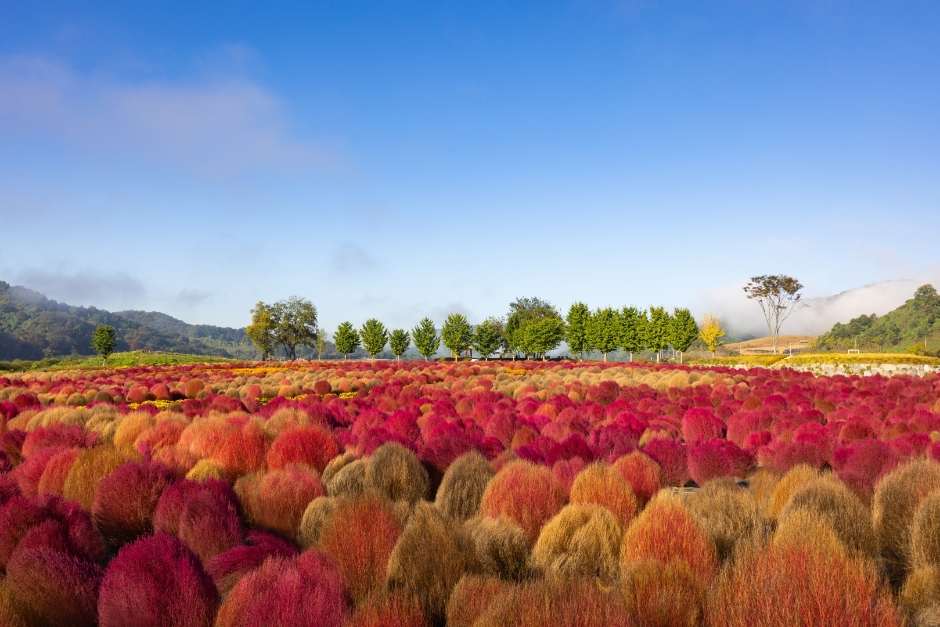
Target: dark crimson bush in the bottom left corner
(57, 590)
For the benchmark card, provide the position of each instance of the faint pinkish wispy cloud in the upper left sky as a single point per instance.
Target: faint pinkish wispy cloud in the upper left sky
(217, 129)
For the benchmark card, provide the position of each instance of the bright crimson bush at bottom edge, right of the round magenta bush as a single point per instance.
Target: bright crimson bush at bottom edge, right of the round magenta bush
(298, 592)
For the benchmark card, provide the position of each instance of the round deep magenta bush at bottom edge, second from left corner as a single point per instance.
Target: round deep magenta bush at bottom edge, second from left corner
(156, 582)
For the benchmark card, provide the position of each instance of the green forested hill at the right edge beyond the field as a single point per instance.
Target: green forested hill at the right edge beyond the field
(905, 328)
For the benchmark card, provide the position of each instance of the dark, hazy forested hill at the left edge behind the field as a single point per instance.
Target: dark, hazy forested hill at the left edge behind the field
(33, 327)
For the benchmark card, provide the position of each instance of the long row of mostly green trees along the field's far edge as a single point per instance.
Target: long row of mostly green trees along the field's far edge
(532, 328)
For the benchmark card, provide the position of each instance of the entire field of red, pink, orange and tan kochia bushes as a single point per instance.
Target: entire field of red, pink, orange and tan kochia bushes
(468, 494)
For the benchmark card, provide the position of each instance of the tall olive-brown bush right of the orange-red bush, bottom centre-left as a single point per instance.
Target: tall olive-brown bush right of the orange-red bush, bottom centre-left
(429, 559)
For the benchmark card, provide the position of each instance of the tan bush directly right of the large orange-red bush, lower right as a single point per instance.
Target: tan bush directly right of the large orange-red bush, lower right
(728, 514)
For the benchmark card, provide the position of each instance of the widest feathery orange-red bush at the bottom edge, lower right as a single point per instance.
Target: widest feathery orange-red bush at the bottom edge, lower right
(791, 584)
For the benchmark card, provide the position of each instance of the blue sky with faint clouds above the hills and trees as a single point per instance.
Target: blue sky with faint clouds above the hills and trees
(401, 159)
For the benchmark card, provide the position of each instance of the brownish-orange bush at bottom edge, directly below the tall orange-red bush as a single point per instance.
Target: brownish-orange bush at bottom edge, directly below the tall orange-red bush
(663, 595)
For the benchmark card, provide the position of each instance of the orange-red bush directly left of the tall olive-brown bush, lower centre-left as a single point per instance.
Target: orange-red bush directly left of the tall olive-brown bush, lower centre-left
(360, 536)
